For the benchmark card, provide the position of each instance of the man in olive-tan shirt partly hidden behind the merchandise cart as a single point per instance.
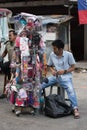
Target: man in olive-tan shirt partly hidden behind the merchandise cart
(8, 50)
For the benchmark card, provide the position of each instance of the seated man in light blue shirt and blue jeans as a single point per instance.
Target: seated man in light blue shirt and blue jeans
(61, 64)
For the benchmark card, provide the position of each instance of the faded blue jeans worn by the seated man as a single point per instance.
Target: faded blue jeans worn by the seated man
(67, 85)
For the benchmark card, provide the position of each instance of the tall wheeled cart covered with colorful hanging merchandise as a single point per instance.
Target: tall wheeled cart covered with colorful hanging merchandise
(28, 66)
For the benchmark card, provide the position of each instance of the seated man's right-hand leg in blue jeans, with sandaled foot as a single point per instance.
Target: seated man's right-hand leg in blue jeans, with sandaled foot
(68, 85)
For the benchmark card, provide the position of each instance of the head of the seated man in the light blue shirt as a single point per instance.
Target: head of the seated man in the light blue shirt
(58, 47)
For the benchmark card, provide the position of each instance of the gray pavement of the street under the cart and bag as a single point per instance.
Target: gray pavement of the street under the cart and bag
(9, 121)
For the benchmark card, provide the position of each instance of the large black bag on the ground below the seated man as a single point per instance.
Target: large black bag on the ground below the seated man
(56, 107)
